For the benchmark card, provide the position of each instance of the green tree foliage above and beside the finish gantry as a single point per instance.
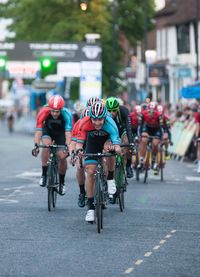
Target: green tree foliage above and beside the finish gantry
(64, 21)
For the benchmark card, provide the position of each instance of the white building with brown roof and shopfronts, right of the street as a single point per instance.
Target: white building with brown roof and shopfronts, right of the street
(177, 48)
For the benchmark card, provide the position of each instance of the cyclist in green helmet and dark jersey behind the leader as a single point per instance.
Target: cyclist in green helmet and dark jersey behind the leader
(120, 115)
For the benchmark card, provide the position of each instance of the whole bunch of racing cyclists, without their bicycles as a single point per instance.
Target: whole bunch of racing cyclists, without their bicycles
(99, 126)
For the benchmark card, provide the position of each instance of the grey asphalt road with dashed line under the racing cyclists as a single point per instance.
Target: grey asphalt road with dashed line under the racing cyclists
(158, 234)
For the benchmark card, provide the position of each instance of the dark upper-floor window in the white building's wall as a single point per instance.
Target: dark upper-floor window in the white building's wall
(183, 38)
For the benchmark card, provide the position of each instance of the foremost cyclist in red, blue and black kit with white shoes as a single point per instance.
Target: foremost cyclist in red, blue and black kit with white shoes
(98, 132)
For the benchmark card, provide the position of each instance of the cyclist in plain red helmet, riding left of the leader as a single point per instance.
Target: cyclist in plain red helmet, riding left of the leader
(54, 124)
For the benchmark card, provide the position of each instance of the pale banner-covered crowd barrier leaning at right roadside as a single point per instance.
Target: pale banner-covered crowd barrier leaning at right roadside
(182, 135)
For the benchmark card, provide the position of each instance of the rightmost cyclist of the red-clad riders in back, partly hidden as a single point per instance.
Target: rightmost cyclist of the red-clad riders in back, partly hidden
(166, 130)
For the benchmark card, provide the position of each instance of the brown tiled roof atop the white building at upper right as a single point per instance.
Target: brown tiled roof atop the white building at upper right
(179, 11)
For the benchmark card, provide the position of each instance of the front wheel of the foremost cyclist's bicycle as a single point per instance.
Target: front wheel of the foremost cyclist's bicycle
(99, 211)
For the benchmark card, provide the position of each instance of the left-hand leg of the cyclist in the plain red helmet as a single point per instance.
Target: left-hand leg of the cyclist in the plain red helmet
(46, 140)
